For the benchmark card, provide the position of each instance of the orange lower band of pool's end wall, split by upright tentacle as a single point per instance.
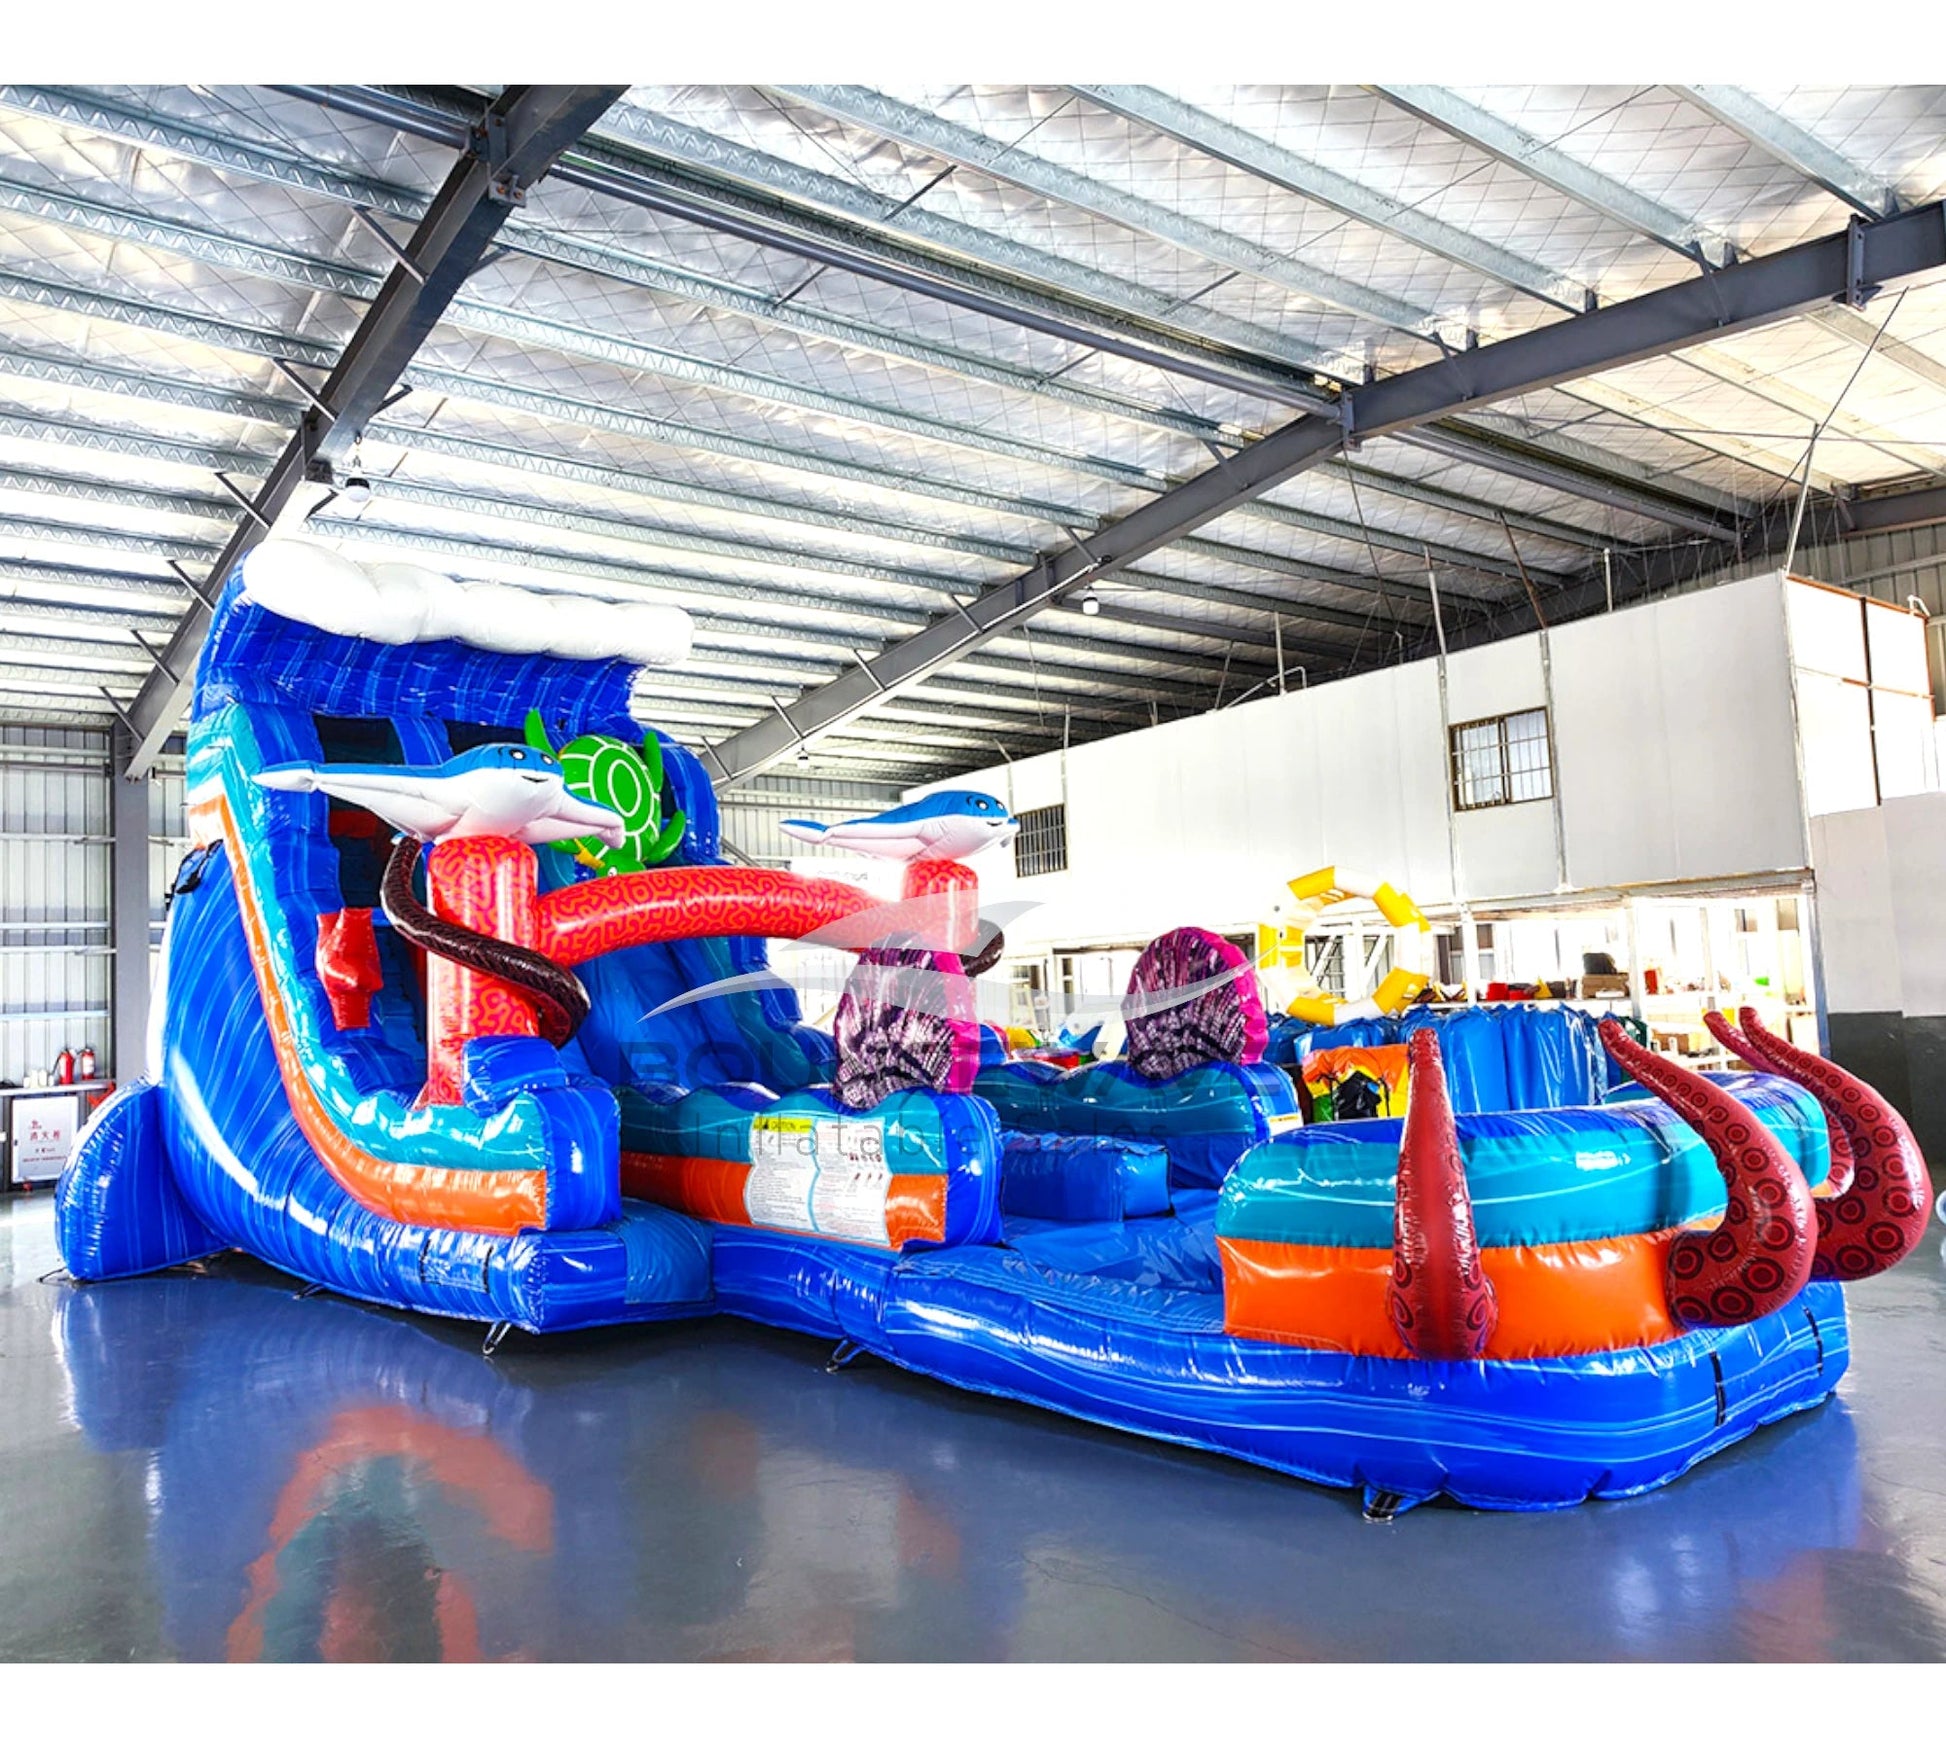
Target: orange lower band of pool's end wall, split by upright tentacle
(1568, 1299)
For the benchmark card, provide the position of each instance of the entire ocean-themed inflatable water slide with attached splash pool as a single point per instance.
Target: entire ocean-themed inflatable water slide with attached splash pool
(449, 1022)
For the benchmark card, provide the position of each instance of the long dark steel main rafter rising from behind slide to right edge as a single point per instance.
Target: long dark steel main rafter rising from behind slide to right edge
(1725, 303)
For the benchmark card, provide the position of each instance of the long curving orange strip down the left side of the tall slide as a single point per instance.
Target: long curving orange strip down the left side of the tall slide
(406, 1192)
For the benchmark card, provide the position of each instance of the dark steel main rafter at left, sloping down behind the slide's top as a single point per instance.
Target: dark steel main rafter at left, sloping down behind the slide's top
(521, 135)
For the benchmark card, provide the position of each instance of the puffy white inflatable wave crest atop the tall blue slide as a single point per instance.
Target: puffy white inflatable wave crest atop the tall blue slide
(396, 604)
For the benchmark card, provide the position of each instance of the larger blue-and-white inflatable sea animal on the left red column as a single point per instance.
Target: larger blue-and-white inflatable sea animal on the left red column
(495, 791)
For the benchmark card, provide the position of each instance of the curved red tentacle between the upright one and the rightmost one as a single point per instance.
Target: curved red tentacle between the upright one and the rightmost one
(1760, 1256)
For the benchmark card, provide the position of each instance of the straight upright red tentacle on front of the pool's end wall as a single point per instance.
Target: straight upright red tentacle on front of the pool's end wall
(1441, 1303)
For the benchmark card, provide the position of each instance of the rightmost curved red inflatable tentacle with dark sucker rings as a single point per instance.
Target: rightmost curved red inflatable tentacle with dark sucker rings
(1883, 1215)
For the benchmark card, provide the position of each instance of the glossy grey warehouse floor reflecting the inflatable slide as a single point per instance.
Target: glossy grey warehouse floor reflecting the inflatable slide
(201, 1468)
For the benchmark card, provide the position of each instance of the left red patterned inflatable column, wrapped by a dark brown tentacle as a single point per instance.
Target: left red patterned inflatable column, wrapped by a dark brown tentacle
(487, 886)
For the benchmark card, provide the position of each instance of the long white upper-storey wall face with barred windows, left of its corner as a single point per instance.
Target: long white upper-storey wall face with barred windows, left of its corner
(1675, 758)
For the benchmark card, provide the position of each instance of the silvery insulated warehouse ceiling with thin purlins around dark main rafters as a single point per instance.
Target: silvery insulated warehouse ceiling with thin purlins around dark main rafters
(824, 365)
